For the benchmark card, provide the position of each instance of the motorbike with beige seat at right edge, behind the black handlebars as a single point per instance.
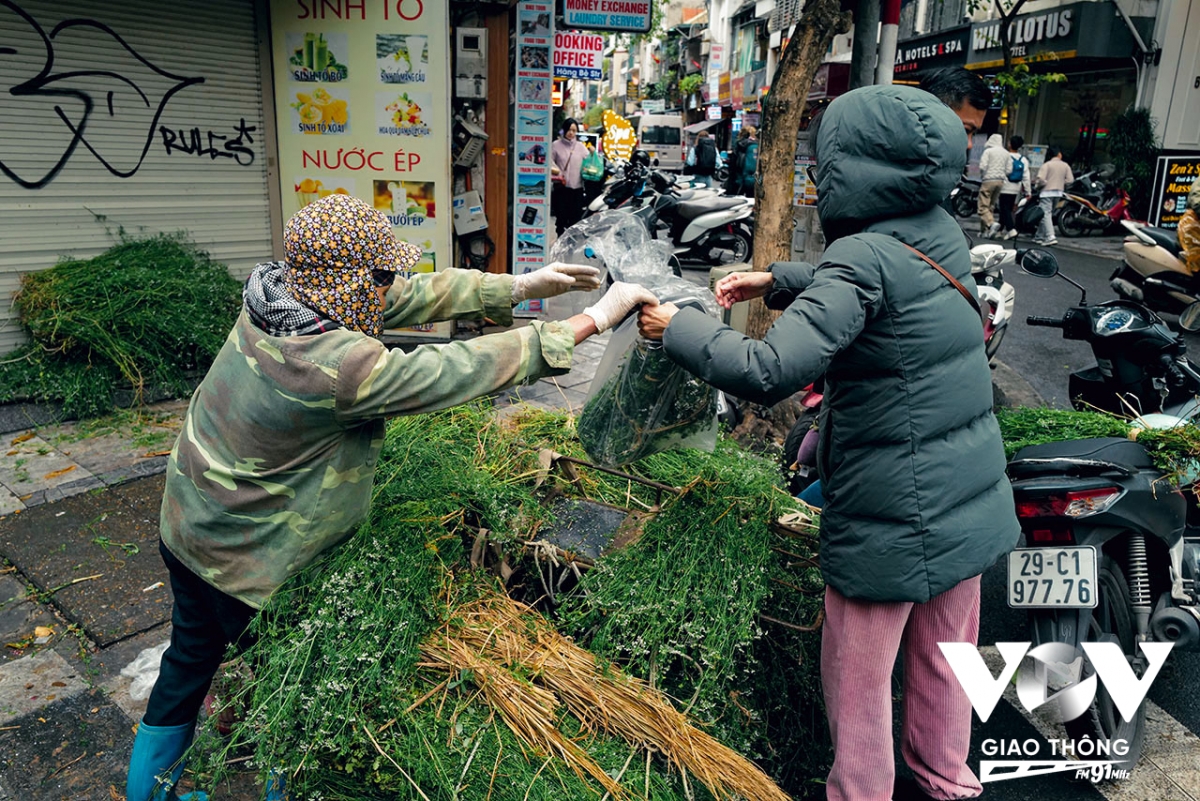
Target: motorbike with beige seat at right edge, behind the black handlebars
(1153, 272)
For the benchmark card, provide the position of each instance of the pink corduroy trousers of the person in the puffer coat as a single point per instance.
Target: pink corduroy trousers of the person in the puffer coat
(859, 651)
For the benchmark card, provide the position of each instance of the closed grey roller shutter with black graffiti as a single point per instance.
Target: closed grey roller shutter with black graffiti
(110, 53)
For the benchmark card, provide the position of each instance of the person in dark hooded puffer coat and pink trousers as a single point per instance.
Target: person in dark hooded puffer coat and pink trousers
(910, 456)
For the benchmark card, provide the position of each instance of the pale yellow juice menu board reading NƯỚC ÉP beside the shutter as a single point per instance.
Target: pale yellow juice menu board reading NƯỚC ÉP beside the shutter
(355, 103)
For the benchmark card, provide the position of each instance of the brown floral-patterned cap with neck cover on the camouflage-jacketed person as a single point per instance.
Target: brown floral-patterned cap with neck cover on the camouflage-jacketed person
(333, 248)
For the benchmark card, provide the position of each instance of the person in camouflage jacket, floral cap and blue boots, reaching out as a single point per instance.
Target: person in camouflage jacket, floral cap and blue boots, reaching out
(277, 460)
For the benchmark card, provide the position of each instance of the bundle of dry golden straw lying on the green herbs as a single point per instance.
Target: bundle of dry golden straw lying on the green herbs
(499, 631)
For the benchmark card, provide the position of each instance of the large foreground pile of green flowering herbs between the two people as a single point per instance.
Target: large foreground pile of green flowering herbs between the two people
(349, 701)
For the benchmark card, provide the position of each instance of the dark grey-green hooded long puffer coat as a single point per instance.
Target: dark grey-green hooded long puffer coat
(910, 455)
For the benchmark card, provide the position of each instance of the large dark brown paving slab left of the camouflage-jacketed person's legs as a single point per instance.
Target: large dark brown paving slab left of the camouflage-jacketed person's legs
(103, 534)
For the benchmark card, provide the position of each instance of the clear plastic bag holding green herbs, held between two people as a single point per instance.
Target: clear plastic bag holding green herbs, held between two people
(641, 402)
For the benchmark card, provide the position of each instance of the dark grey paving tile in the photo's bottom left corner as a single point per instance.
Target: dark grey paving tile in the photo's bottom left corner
(71, 750)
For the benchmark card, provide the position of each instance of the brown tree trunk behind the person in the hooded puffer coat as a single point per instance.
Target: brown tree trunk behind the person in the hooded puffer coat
(782, 116)
